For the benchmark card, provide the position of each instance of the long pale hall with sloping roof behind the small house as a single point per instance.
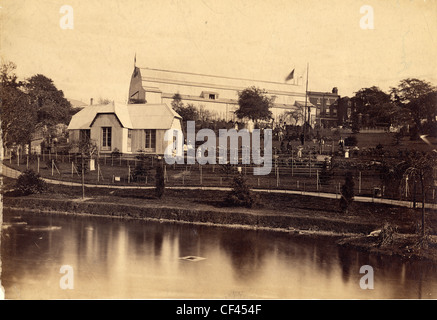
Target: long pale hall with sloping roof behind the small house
(216, 94)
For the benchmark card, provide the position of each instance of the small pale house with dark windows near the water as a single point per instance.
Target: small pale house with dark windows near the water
(128, 128)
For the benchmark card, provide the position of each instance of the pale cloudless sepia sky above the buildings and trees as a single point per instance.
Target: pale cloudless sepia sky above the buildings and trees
(260, 40)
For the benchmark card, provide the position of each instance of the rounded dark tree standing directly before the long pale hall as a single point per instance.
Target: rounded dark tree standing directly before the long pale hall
(254, 105)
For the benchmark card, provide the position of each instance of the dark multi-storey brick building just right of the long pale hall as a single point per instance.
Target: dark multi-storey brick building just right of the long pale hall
(327, 107)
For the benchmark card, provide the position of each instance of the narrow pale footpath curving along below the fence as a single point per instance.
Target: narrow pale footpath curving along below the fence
(12, 173)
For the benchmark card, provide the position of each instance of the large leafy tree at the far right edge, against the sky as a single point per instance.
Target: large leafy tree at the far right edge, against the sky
(418, 97)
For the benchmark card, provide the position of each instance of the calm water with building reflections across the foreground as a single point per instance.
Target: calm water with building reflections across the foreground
(114, 258)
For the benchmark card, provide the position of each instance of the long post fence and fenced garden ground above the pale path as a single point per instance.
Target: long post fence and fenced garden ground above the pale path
(289, 172)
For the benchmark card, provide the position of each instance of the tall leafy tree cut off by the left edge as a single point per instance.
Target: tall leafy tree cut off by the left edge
(18, 117)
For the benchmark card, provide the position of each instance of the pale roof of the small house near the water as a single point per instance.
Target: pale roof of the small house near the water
(132, 116)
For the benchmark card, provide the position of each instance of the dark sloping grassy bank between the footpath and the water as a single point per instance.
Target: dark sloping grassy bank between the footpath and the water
(297, 214)
